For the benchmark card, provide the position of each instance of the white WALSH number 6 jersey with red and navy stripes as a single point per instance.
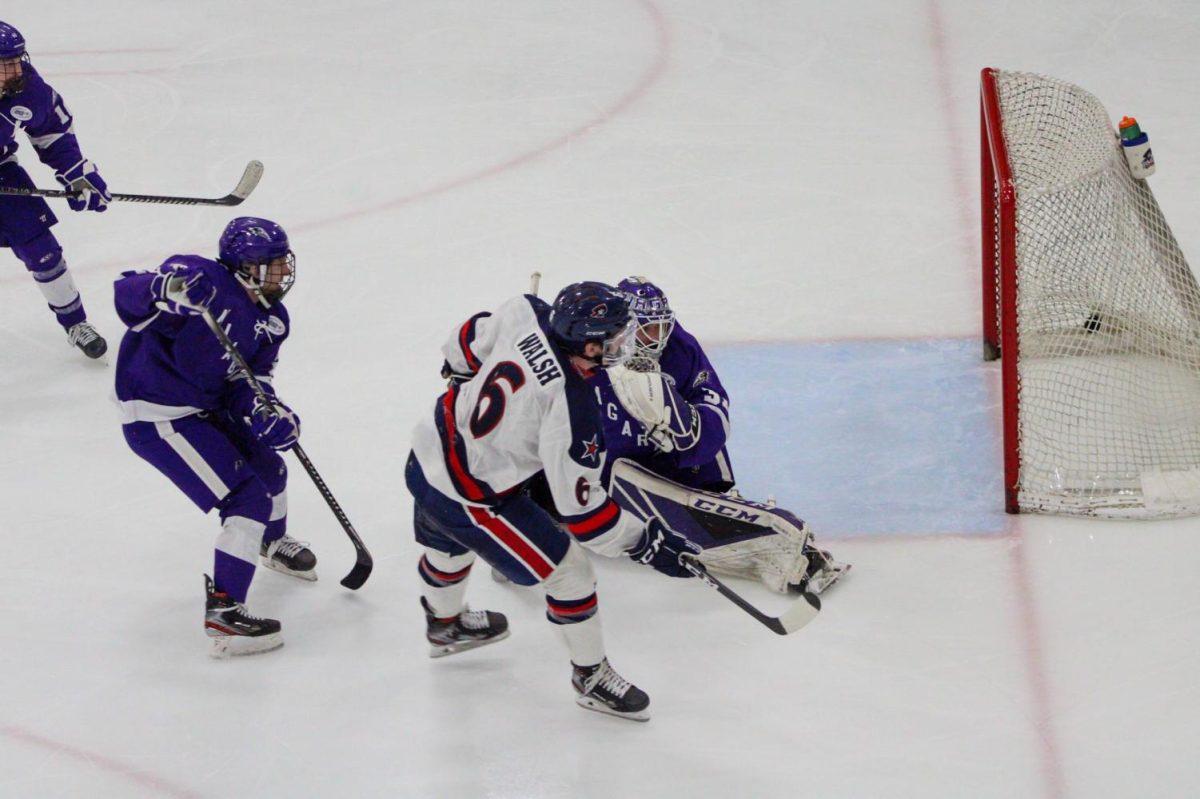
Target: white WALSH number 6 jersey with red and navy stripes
(526, 410)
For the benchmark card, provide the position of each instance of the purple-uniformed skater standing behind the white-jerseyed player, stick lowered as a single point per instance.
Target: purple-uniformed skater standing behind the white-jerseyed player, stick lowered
(188, 411)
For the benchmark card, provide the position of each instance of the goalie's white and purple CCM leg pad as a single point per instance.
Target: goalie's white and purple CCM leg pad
(740, 538)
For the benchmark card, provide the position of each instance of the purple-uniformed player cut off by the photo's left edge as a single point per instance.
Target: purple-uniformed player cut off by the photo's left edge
(29, 103)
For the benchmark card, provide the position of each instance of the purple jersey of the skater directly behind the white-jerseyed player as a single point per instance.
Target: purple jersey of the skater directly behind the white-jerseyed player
(171, 365)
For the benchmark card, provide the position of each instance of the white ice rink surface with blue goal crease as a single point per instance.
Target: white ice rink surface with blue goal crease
(802, 179)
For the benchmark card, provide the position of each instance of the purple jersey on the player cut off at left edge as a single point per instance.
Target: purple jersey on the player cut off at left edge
(45, 118)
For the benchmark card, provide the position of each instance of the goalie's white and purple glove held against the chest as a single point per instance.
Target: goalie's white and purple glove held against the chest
(671, 423)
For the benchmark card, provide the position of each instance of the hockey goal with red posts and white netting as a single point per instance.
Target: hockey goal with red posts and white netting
(1094, 308)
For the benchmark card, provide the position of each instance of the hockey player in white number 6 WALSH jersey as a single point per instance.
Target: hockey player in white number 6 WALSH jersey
(519, 405)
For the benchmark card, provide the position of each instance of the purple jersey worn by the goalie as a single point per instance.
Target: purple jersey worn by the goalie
(705, 465)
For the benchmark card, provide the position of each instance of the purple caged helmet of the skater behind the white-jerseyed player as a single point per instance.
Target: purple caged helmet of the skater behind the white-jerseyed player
(257, 251)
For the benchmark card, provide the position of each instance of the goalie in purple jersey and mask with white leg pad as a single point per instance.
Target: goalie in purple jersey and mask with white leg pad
(667, 411)
